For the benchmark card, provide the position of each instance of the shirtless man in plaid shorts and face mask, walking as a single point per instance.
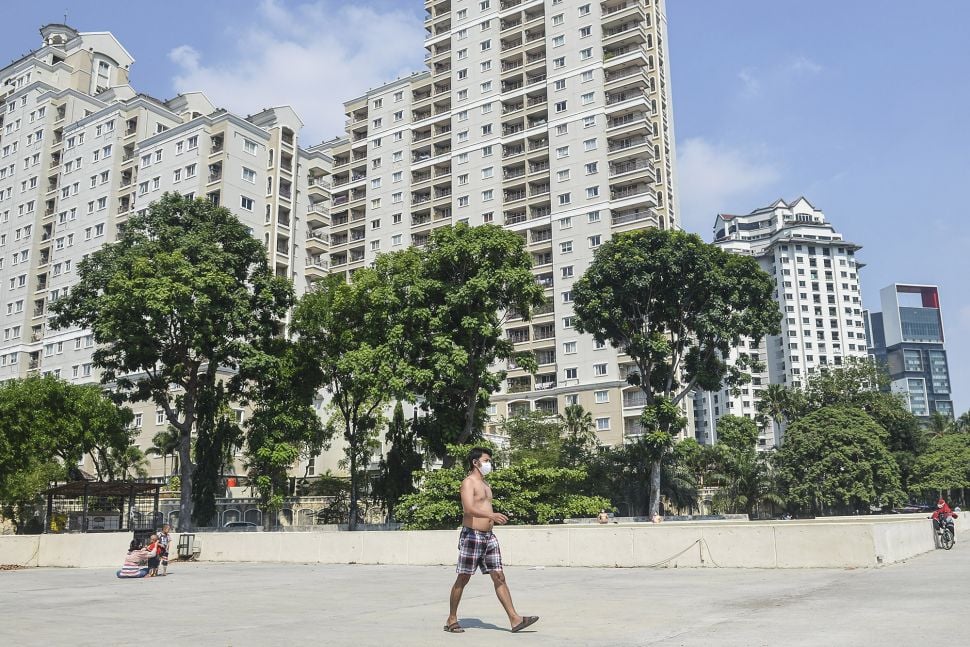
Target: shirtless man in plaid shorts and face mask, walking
(478, 545)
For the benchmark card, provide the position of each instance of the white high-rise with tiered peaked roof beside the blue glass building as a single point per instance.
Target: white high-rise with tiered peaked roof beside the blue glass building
(816, 276)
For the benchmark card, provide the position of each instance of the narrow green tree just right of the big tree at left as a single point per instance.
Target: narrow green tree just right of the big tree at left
(281, 378)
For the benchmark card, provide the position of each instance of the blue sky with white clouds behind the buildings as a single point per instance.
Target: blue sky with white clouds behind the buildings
(860, 106)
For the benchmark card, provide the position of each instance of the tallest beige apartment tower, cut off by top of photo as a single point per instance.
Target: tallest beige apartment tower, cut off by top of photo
(550, 118)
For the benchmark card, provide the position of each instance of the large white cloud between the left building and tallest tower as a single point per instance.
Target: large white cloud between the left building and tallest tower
(312, 56)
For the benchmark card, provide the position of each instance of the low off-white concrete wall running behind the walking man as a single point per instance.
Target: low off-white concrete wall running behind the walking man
(863, 542)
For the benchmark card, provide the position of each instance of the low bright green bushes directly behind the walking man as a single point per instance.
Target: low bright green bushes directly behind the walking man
(527, 492)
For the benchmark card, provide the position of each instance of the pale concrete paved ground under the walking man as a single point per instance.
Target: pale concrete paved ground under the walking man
(394, 606)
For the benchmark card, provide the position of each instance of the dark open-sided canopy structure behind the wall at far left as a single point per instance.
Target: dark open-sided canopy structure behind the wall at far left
(102, 506)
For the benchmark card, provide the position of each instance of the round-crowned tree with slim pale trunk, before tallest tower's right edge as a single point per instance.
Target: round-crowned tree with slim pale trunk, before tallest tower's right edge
(676, 306)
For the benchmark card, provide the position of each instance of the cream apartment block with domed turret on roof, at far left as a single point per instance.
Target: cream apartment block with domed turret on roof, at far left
(81, 151)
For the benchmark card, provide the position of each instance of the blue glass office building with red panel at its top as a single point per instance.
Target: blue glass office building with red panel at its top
(907, 337)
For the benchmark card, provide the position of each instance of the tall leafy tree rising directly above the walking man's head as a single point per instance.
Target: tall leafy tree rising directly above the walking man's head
(455, 296)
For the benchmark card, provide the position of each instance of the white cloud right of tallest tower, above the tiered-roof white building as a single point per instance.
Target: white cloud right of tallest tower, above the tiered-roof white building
(715, 179)
